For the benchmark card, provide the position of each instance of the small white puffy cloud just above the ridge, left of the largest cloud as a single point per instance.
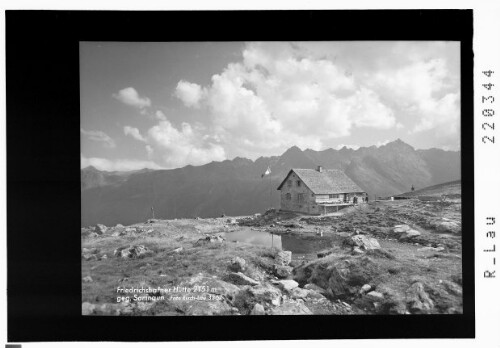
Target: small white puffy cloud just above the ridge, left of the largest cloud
(179, 147)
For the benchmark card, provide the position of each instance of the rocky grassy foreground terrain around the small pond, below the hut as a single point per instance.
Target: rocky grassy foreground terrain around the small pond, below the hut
(385, 257)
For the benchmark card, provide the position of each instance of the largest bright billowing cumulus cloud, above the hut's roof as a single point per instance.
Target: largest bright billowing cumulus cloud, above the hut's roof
(276, 97)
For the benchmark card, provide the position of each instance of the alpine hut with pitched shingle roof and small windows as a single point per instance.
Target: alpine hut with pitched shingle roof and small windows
(318, 191)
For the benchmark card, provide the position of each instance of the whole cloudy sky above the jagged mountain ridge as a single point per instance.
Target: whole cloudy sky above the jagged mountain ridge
(168, 105)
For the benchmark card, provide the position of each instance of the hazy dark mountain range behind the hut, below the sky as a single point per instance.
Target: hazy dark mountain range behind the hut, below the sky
(235, 187)
